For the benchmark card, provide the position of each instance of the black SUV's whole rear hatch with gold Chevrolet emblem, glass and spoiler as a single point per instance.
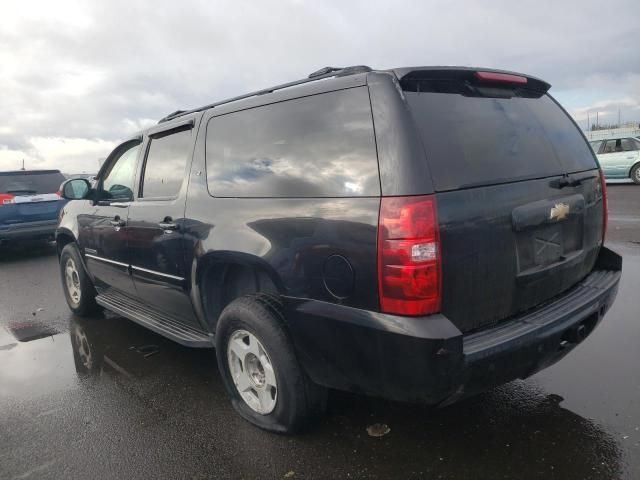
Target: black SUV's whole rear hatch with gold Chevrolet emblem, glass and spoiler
(518, 192)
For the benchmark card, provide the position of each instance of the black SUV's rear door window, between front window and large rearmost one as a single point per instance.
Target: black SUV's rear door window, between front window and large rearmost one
(164, 168)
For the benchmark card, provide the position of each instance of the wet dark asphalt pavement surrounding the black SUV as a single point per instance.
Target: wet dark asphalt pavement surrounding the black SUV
(104, 398)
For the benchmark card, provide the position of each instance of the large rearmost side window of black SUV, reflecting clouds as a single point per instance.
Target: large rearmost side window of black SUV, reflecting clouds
(317, 146)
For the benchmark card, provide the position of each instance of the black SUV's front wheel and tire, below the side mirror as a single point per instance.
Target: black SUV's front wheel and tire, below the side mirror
(81, 296)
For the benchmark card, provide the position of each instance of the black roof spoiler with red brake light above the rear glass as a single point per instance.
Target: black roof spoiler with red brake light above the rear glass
(480, 77)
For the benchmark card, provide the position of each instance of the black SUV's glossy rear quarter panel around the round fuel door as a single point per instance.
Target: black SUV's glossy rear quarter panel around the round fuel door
(291, 238)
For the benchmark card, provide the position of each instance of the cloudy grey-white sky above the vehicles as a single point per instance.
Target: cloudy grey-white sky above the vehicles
(78, 76)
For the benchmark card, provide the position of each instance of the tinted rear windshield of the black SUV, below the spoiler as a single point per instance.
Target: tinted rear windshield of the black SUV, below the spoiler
(483, 140)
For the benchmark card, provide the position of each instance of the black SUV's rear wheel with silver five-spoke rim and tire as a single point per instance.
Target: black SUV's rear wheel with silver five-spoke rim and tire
(295, 401)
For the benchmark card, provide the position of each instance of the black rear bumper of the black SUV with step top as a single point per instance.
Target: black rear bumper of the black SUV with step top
(427, 359)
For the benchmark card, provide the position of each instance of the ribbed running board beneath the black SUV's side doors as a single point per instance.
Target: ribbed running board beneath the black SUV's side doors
(149, 317)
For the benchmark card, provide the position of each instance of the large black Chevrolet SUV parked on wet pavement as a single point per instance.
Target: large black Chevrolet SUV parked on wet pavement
(420, 234)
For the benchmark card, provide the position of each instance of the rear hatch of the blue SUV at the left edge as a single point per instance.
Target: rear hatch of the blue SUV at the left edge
(29, 196)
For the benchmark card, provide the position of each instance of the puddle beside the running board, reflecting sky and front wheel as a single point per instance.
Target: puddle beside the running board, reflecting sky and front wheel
(34, 362)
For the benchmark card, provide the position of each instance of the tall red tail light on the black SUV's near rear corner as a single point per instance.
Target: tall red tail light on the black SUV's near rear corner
(409, 256)
